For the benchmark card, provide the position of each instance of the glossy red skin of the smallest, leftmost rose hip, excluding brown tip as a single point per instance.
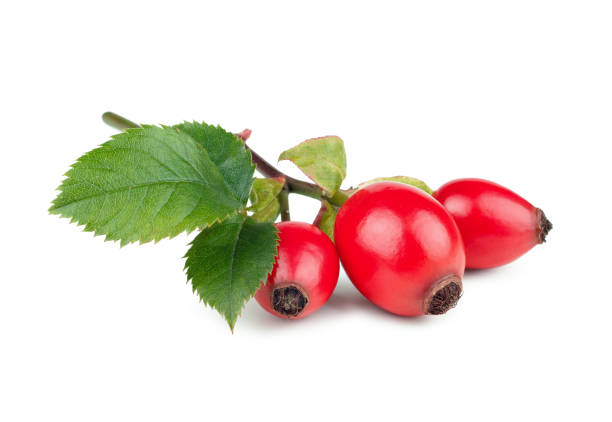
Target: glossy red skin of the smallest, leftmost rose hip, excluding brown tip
(306, 258)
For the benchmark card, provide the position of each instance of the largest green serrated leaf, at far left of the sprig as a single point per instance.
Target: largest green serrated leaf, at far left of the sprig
(145, 184)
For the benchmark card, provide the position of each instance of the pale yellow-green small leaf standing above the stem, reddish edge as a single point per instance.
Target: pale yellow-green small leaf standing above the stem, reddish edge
(323, 160)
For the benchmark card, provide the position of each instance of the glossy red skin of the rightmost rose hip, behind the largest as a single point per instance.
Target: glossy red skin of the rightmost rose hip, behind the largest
(496, 224)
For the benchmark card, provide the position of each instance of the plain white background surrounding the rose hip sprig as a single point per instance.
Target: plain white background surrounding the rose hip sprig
(517, 92)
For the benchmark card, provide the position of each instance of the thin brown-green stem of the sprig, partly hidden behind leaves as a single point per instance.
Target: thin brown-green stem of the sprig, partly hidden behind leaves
(293, 185)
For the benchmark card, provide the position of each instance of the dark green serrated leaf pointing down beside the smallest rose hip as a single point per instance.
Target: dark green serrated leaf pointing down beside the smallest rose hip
(228, 262)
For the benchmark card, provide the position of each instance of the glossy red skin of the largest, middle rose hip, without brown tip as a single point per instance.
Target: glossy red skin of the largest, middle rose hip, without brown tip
(395, 242)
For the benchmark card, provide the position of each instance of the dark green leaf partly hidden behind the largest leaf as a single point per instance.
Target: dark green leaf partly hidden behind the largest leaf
(228, 153)
